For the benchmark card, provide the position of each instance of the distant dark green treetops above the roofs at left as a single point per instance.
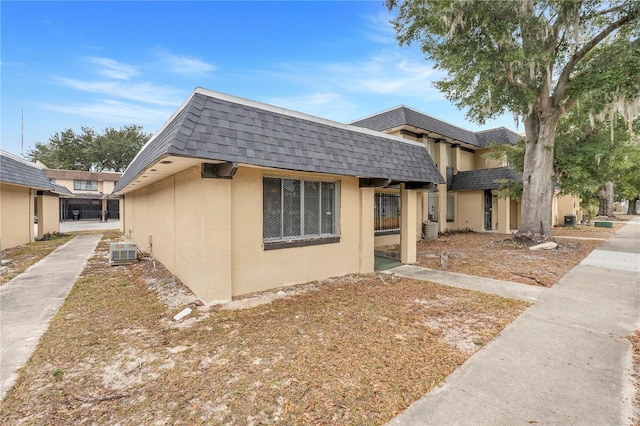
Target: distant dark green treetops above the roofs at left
(113, 150)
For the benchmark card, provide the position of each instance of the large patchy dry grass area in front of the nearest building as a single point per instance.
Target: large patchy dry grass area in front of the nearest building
(353, 350)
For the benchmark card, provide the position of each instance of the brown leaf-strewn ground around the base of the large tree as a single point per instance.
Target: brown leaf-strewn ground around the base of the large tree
(502, 257)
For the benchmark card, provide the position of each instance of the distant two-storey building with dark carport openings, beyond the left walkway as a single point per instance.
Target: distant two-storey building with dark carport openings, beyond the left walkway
(89, 193)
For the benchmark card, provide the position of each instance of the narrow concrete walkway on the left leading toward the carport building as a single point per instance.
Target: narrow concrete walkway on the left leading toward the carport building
(30, 300)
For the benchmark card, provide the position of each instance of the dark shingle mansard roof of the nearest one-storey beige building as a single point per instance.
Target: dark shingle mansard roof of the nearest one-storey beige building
(213, 126)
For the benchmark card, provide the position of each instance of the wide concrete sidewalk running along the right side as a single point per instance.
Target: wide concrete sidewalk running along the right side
(565, 360)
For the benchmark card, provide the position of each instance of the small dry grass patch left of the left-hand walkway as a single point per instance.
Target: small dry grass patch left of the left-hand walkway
(21, 257)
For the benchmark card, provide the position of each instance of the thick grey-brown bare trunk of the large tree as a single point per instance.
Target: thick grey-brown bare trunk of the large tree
(538, 175)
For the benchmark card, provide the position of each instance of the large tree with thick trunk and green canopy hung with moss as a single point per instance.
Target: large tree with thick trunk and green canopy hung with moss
(533, 58)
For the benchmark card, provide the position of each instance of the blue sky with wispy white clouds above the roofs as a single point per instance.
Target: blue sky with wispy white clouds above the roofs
(108, 64)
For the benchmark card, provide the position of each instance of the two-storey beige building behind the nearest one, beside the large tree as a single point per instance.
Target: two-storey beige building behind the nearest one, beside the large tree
(465, 201)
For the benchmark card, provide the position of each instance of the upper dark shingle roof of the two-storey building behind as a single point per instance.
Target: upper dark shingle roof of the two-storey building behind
(405, 116)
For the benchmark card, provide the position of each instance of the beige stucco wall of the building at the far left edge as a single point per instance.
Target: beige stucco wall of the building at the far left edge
(16, 215)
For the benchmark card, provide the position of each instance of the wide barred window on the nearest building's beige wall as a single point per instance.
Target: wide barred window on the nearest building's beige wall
(298, 210)
